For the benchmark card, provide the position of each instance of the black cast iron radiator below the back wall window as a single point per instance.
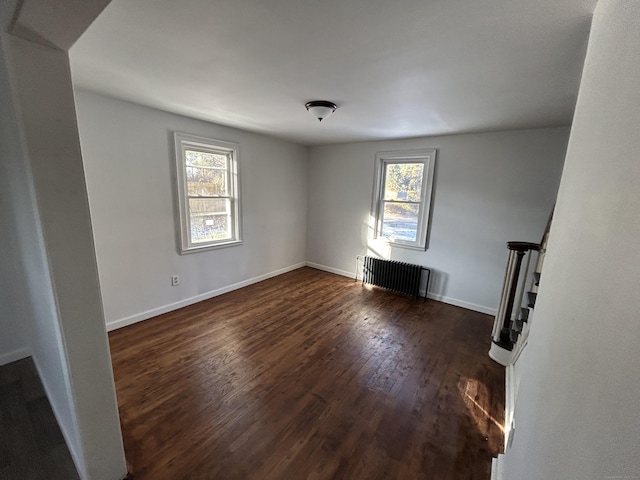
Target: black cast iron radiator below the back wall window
(397, 276)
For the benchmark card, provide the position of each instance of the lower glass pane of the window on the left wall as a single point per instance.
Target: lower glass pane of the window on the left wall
(210, 219)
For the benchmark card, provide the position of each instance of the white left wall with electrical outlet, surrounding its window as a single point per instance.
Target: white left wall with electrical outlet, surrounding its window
(129, 163)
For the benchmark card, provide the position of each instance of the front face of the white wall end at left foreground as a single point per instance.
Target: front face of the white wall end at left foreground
(44, 94)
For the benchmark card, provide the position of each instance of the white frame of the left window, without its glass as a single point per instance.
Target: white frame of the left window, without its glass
(183, 142)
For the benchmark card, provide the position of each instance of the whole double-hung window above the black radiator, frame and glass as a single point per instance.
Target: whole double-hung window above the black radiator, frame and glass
(402, 197)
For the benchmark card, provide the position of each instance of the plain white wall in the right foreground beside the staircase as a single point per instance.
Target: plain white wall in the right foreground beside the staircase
(578, 410)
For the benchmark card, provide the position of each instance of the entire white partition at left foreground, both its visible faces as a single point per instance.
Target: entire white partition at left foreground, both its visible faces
(48, 277)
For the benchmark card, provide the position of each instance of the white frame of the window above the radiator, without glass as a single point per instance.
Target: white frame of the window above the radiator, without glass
(428, 158)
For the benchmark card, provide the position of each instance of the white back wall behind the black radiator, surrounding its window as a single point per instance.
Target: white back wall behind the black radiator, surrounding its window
(489, 189)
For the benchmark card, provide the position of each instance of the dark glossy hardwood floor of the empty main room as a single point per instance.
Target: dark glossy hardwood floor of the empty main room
(310, 375)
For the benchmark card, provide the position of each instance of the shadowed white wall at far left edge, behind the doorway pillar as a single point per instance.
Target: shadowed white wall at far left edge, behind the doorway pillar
(29, 317)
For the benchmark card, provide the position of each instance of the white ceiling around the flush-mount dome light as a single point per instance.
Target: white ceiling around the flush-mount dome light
(396, 69)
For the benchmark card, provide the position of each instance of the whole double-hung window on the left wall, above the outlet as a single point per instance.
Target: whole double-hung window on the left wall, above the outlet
(208, 192)
